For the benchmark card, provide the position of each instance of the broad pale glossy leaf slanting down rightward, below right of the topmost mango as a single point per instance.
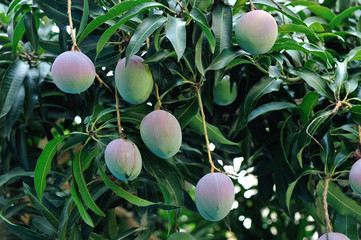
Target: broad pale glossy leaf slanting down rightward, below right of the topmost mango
(315, 81)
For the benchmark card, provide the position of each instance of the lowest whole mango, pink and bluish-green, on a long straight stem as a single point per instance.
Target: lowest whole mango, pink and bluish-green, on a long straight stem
(214, 196)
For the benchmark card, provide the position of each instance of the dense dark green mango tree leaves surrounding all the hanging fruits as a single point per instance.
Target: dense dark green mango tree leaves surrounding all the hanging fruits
(293, 123)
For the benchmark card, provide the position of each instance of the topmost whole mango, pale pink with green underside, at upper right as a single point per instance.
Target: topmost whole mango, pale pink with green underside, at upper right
(256, 32)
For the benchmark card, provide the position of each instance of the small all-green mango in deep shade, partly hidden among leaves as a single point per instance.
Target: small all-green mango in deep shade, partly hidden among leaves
(222, 92)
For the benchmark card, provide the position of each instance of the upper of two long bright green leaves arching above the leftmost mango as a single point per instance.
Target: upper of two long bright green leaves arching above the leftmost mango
(115, 11)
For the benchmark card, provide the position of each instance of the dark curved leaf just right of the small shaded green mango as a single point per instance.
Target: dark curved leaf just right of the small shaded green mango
(265, 86)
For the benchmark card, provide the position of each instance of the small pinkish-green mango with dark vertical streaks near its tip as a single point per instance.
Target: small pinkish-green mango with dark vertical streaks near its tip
(123, 159)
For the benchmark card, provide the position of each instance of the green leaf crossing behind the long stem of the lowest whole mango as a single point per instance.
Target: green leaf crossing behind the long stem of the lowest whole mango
(214, 133)
